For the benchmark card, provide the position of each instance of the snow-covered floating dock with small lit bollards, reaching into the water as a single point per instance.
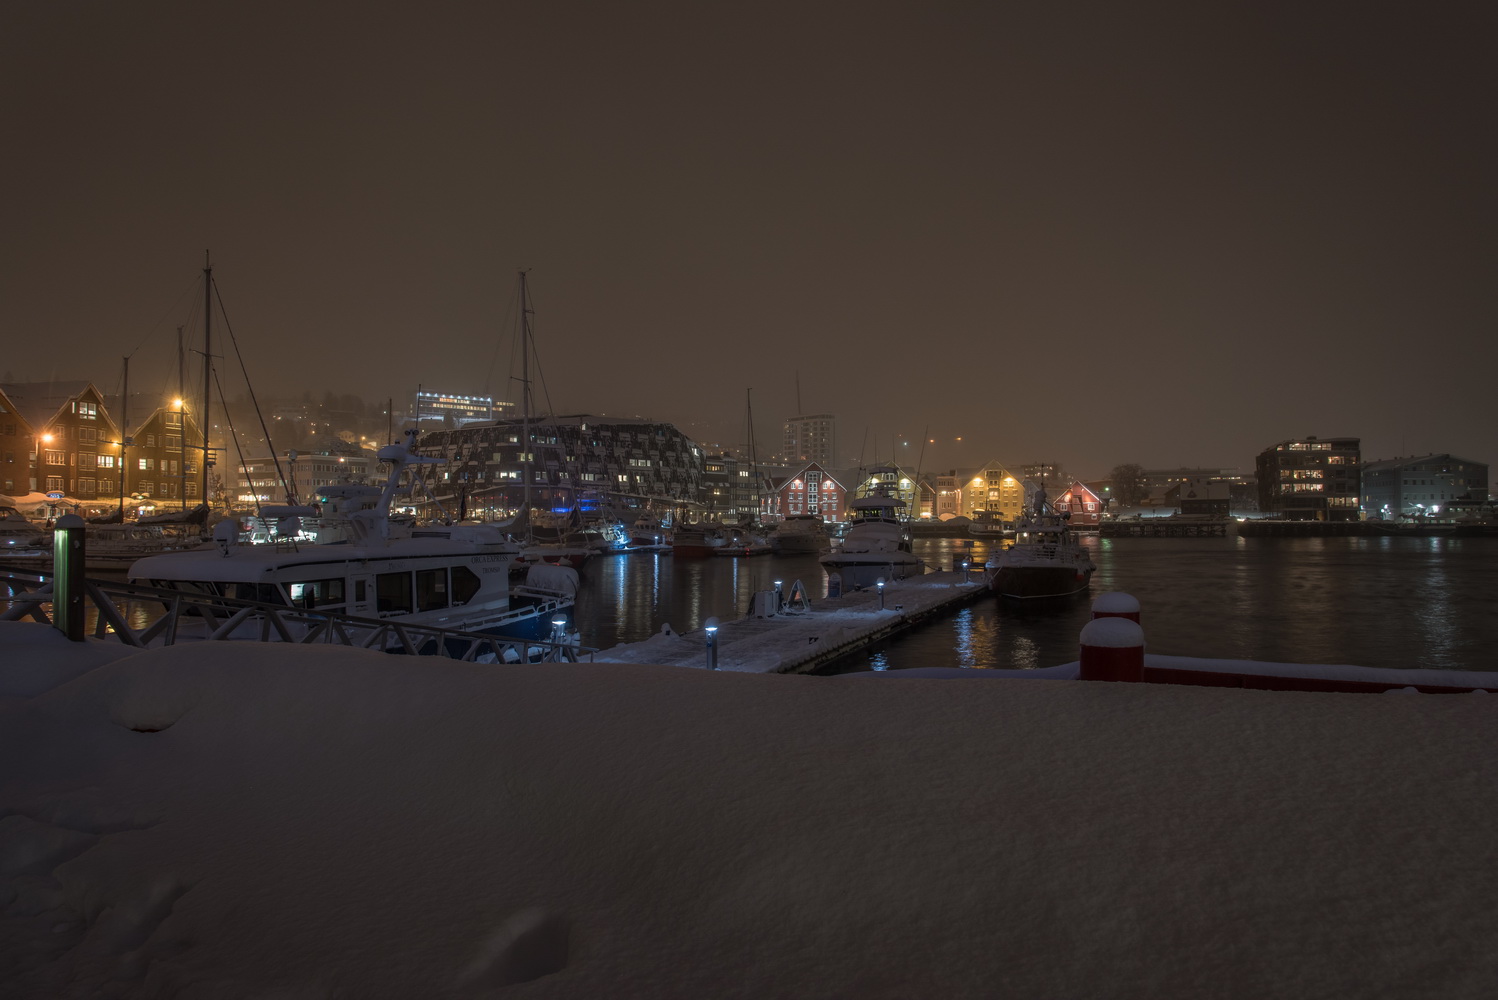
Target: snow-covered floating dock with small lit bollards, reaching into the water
(802, 641)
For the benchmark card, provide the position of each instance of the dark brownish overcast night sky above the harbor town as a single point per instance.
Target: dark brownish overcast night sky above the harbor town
(1087, 233)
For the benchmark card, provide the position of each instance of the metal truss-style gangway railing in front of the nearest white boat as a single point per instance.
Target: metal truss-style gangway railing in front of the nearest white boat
(213, 619)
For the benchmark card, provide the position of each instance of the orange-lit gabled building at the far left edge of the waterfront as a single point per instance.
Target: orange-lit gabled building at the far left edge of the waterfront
(68, 432)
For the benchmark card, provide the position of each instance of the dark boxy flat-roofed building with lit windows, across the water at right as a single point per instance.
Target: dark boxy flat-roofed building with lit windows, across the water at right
(1311, 480)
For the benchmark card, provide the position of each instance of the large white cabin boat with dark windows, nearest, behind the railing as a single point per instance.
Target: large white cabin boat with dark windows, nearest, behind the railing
(450, 577)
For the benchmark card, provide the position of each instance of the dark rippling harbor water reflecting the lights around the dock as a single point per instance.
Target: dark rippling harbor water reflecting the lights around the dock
(1397, 603)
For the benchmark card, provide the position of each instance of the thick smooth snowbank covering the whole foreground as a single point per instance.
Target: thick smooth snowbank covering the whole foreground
(312, 823)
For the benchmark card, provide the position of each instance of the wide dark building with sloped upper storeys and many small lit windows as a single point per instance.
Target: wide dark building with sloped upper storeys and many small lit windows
(568, 460)
